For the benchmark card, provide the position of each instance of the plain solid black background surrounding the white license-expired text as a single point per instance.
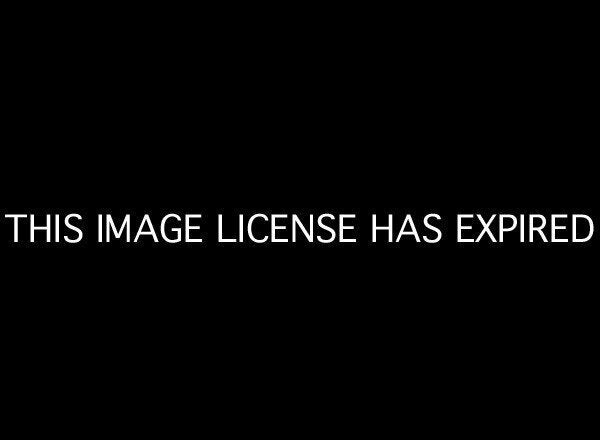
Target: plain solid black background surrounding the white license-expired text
(381, 113)
